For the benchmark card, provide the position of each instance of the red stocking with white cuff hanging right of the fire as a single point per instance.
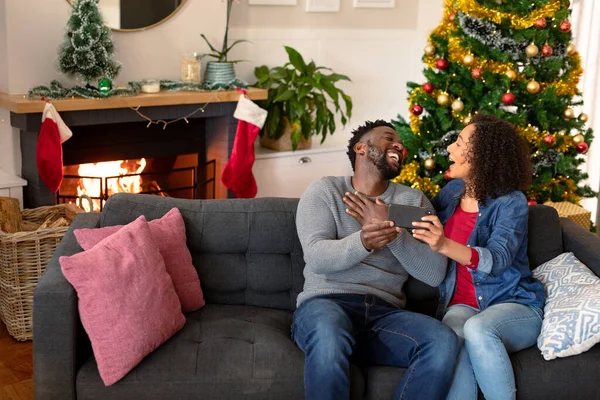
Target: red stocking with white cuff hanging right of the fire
(237, 174)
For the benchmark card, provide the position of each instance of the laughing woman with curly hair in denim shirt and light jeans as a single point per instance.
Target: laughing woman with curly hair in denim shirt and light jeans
(488, 297)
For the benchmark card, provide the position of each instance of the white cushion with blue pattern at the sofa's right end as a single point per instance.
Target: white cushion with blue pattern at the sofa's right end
(572, 312)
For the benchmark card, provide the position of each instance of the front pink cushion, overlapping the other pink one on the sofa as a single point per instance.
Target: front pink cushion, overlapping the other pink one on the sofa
(127, 302)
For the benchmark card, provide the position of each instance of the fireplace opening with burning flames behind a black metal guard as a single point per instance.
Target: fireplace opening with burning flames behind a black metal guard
(89, 185)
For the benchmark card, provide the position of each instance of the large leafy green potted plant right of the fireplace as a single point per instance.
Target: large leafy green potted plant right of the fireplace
(300, 97)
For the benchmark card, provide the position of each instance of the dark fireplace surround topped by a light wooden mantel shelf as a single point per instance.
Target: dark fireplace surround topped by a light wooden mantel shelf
(105, 130)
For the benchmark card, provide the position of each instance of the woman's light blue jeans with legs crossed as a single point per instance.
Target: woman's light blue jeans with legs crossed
(488, 337)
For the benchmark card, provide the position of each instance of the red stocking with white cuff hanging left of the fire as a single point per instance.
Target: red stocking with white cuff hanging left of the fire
(49, 148)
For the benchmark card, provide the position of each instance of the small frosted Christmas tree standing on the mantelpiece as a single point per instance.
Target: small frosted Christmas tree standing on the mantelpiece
(87, 50)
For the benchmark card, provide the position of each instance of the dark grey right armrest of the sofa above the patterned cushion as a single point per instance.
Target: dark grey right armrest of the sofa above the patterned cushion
(584, 244)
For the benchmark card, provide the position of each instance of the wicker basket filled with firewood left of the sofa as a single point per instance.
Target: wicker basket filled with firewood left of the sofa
(23, 258)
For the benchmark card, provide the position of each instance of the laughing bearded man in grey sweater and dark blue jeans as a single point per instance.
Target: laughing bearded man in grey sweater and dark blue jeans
(352, 302)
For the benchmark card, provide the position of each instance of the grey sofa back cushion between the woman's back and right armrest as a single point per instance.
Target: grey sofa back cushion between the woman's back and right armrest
(544, 235)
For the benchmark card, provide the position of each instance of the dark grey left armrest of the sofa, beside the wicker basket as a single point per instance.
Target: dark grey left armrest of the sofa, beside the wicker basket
(56, 338)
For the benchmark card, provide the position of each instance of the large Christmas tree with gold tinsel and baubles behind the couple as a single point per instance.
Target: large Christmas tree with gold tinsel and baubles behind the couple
(513, 59)
